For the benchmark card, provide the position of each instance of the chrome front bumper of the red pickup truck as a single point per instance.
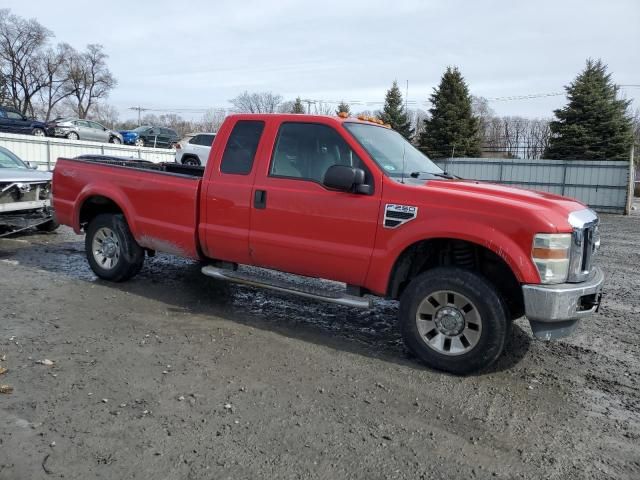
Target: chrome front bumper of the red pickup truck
(554, 310)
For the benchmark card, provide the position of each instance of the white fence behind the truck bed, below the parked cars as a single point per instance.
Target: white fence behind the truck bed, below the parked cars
(44, 151)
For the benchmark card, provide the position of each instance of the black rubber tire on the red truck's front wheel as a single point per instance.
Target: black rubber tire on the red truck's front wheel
(483, 298)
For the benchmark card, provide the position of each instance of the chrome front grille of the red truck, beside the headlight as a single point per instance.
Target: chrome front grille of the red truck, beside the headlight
(585, 242)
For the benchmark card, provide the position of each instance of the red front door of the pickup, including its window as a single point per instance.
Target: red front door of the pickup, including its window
(300, 226)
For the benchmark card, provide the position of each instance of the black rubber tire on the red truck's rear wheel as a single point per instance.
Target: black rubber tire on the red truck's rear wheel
(130, 256)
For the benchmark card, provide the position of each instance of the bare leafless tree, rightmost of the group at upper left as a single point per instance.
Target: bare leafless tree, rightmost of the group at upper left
(90, 78)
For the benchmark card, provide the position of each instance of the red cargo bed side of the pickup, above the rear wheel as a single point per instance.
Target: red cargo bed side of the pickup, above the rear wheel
(159, 201)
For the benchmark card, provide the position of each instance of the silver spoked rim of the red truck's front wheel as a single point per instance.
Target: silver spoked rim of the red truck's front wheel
(449, 323)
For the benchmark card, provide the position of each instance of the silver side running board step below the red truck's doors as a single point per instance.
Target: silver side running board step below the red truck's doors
(280, 285)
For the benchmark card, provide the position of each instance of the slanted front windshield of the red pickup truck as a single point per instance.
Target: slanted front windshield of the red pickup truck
(391, 151)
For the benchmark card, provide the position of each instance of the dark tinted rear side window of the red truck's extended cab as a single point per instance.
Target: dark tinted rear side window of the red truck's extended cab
(241, 148)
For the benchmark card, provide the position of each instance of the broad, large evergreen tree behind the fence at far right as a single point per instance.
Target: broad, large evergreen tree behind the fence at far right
(594, 124)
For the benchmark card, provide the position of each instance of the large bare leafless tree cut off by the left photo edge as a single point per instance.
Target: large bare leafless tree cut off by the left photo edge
(21, 65)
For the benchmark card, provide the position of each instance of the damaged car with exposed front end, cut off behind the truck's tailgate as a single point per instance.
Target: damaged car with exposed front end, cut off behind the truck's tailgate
(25, 196)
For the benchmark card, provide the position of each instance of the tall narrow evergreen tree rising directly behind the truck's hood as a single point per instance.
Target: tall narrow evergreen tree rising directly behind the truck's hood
(452, 129)
